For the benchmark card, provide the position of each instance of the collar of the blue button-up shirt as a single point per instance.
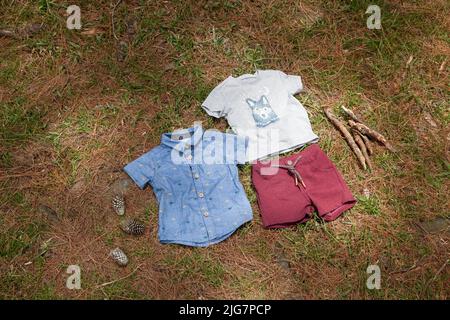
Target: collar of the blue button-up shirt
(179, 139)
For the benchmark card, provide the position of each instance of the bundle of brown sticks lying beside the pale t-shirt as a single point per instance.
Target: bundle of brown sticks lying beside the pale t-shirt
(358, 136)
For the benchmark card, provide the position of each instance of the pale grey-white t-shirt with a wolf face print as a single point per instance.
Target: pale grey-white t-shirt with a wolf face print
(262, 107)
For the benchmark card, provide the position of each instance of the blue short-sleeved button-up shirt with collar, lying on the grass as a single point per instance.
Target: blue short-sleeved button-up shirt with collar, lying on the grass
(194, 176)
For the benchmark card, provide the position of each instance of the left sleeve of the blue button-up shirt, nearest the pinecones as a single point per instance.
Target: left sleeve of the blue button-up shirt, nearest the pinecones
(142, 169)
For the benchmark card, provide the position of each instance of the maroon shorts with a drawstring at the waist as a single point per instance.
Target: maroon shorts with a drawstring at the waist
(319, 187)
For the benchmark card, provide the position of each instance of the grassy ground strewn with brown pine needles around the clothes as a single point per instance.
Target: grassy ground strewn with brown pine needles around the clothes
(71, 116)
